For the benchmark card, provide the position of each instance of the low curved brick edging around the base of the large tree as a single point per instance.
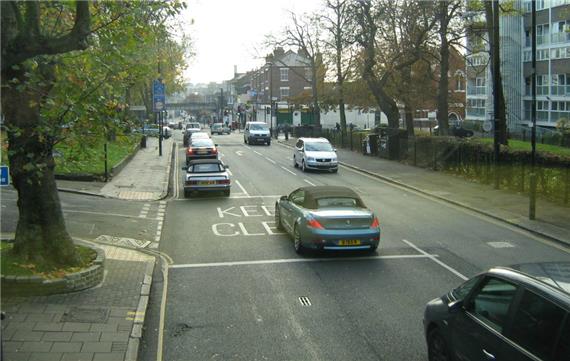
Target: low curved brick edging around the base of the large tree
(64, 281)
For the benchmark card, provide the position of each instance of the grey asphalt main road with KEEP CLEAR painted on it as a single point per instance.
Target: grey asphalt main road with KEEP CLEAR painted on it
(236, 290)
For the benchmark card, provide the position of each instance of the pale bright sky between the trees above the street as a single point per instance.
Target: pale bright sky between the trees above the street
(227, 33)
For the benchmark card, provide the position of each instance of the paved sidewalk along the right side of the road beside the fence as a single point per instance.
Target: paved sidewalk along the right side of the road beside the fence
(552, 221)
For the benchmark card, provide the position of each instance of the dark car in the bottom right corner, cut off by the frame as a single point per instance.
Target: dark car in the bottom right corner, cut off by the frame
(515, 313)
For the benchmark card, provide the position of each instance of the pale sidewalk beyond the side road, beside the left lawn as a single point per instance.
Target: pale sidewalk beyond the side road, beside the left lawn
(145, 177)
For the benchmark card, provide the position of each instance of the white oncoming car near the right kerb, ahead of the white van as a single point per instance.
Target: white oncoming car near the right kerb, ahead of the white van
(315, 153)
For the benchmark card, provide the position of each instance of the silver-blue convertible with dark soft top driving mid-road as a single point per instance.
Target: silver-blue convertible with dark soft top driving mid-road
(327, 218)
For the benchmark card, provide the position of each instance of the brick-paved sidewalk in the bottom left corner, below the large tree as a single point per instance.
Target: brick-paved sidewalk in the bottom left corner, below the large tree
(103, 323)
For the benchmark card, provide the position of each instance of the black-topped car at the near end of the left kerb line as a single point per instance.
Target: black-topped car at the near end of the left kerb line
(207, 175)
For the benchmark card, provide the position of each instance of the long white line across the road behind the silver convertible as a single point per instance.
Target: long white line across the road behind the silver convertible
(296, 260)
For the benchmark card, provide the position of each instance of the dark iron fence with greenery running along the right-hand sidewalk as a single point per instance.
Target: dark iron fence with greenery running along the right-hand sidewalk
(463, 157)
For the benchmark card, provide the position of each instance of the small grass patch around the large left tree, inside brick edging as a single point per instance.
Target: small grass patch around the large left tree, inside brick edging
(13, 265)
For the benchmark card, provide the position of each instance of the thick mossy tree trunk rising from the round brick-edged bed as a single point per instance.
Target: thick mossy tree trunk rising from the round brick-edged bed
(41, 235)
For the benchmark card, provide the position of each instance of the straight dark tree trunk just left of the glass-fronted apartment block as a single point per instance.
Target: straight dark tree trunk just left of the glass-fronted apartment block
(443, 89)
